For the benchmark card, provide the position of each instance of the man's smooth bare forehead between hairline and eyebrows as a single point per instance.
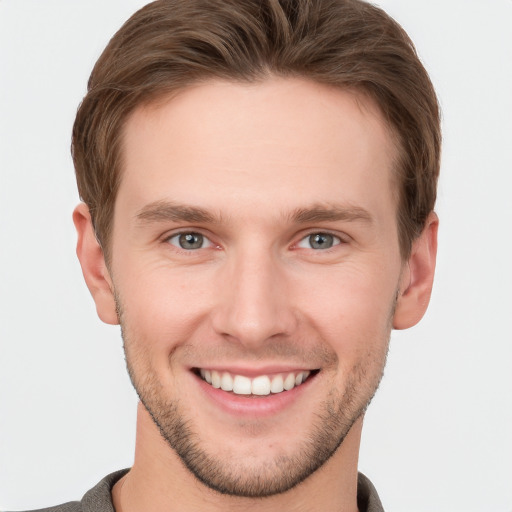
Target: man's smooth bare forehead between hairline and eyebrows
(221, 144)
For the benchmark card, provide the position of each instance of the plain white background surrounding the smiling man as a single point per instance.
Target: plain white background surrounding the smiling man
(438, 436)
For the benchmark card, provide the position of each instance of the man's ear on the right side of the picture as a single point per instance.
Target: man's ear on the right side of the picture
(417, 277)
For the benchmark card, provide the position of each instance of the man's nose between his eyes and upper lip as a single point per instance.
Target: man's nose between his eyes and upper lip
(253, 303)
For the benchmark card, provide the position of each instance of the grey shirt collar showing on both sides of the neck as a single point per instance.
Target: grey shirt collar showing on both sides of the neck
(99, 498)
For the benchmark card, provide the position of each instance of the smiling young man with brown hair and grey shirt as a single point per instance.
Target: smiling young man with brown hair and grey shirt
(258, 180)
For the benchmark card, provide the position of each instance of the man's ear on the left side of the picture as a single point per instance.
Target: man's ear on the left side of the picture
(93, 264)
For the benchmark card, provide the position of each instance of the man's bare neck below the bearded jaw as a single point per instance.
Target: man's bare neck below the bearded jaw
(158, 481)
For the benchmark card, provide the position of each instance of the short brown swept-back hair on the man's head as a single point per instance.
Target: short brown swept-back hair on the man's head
(170, 44)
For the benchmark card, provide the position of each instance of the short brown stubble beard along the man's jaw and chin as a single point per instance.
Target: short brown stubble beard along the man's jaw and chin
(333, 421)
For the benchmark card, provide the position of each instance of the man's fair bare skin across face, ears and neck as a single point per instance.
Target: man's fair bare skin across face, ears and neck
(268, 165)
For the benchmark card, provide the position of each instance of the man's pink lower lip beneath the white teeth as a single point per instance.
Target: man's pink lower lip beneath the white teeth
(257, 406)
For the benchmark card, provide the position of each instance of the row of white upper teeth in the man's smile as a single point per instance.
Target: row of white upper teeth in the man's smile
(260, 386)
